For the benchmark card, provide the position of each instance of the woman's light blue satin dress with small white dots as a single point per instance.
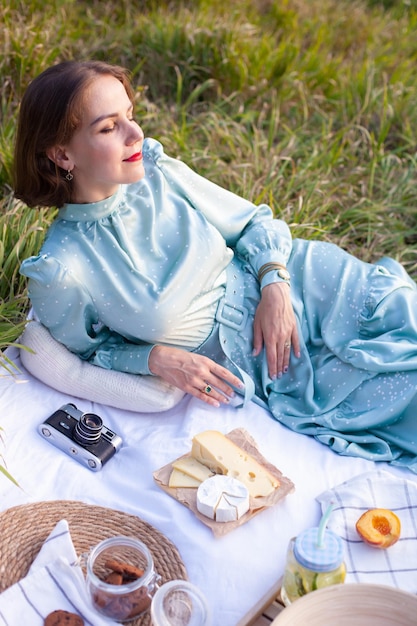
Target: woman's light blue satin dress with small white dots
(174, 259)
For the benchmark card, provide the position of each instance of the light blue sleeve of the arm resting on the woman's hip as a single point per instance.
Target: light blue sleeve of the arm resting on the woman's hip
(250, 230)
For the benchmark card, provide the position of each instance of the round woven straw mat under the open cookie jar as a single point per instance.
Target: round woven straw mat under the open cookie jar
(24, 528)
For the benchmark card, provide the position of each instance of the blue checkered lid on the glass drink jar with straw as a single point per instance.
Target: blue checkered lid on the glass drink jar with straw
(324, 558)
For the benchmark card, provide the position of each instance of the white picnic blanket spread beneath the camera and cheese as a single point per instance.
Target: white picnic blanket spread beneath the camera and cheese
(233, 571)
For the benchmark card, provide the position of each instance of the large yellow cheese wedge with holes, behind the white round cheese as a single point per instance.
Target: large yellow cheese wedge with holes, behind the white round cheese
(222, 456)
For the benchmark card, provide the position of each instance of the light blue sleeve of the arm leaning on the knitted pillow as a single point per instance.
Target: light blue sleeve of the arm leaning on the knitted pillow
(63, 305)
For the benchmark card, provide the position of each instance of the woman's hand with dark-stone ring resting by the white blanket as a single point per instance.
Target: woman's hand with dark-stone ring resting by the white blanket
(195, 374)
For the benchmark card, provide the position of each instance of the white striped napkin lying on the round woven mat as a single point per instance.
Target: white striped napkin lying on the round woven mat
(54, 581)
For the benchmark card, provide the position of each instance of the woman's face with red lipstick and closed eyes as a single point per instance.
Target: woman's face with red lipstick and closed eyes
(106, 150)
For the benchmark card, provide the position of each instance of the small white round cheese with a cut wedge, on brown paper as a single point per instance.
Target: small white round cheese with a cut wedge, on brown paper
(222, 498)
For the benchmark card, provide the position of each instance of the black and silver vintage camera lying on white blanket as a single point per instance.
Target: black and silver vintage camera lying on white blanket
(81, 435)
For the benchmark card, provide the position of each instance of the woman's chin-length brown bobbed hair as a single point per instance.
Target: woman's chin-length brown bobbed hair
(50, 113)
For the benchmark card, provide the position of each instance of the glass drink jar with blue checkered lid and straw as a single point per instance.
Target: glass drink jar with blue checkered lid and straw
(314, 560)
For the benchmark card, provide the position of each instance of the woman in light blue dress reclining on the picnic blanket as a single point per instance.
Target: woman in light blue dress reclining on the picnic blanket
(151, 269)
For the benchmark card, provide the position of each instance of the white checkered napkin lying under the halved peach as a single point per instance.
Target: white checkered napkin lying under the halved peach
(395, 566)
